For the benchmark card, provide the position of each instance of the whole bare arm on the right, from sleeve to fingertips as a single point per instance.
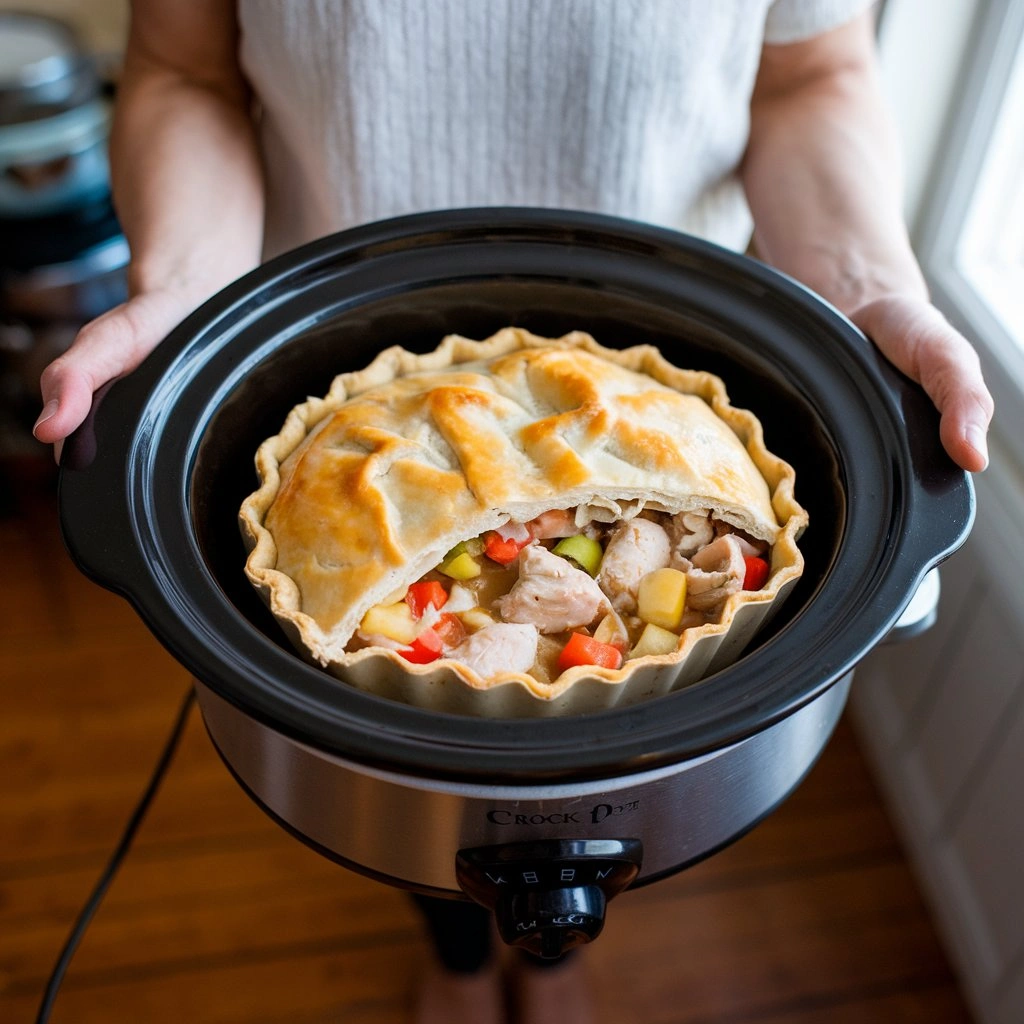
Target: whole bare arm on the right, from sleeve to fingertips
(823, 179)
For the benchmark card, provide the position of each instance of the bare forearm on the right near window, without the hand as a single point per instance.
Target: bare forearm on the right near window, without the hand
(823, 180)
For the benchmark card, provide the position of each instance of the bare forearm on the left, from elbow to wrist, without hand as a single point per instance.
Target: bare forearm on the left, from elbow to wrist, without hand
(187, 179)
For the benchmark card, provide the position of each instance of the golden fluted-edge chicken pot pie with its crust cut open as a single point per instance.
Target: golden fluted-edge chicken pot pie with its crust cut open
(522, 526)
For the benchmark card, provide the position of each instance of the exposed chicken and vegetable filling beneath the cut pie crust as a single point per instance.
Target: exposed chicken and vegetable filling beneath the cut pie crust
(544, 596)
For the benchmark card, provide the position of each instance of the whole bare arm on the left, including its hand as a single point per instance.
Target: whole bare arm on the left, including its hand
(189, 191)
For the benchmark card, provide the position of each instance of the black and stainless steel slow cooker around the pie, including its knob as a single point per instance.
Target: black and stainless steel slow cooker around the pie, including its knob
(543, 821)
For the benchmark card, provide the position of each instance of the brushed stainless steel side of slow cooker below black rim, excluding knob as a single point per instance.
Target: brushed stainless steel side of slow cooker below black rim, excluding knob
(408, 831)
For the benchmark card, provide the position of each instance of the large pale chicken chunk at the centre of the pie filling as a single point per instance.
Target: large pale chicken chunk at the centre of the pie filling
(551, 593)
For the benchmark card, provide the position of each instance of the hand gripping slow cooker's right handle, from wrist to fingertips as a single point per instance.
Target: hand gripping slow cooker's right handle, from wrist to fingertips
(918, 339)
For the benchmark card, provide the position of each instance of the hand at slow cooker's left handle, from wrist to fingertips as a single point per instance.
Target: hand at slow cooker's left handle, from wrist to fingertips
(110, 347)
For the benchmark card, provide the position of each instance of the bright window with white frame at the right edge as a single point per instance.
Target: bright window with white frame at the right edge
(950, 212)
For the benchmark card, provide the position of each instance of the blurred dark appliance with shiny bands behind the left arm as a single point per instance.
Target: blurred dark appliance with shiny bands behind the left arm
(63, 258)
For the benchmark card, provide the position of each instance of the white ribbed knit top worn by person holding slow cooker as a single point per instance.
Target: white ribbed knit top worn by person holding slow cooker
(639, 108)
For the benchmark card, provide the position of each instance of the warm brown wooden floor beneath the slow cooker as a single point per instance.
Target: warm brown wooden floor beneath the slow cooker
(220, 917)
